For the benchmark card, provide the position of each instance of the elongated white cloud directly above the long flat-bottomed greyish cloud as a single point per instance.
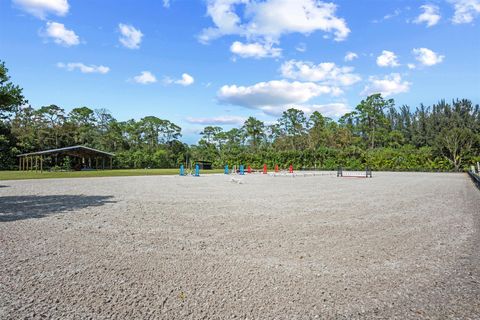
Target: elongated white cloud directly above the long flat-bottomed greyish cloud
(326, 72)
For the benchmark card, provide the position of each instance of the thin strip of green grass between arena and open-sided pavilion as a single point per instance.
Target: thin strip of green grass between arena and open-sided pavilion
(22, 175)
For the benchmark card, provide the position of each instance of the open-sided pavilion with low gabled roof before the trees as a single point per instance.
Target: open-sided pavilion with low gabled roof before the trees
(80, 158)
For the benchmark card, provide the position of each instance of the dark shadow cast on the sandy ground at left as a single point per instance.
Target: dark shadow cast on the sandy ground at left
(14, 208)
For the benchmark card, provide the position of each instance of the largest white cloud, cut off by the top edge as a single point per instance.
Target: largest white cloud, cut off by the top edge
(269, 20)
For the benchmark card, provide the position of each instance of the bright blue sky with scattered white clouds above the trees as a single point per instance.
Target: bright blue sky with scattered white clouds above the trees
(216, 62)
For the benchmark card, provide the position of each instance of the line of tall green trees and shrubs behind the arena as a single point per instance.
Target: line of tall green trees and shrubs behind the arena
(444, 136)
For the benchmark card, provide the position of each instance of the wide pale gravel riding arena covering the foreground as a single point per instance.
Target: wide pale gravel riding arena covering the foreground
(399, 245)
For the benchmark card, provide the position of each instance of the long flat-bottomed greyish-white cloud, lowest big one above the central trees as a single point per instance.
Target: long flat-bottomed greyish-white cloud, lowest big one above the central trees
(273, 93)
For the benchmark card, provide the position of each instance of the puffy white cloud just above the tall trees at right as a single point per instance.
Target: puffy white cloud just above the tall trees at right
(388, 85)
